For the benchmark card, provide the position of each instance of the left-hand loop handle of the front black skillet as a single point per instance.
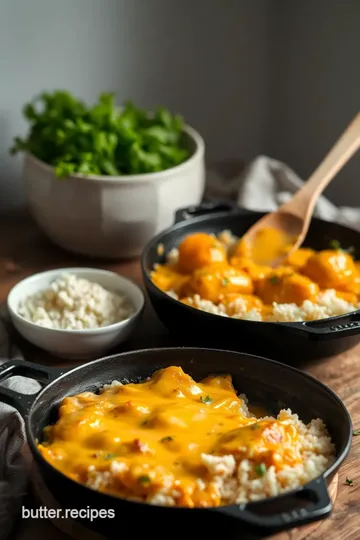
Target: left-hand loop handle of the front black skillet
(23, 402)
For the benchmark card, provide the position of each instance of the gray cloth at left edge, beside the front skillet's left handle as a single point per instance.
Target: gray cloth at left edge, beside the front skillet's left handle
(14, 466)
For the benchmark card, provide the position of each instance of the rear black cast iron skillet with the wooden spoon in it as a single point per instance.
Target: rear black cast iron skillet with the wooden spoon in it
(286, 342)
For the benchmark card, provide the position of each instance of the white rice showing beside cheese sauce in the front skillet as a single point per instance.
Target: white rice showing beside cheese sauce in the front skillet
(234, 481)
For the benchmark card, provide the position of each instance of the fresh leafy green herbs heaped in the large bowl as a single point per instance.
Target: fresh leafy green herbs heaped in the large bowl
(102, 139)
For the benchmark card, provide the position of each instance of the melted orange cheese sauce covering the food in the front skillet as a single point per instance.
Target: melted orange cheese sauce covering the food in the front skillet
(143, 437)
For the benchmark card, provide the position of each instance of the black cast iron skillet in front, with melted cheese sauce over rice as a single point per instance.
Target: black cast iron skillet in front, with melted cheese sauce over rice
(267, 383)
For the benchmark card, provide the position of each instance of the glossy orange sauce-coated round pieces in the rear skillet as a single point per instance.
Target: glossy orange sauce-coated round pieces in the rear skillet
(210, 269)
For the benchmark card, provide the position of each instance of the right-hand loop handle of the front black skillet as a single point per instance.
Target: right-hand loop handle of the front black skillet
(306, 505)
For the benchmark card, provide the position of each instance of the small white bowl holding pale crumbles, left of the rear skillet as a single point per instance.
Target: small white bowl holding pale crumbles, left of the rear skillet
(76, 344)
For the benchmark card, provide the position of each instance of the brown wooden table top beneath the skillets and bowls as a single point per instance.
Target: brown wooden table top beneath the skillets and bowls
(24, 251)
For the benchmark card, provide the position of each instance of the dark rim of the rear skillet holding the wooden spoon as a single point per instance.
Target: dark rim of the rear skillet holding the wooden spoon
(156, 240)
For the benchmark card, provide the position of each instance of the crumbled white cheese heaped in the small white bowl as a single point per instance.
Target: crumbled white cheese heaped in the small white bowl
(72, 303)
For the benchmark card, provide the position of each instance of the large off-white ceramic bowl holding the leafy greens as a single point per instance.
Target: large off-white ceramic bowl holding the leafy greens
(112, 216)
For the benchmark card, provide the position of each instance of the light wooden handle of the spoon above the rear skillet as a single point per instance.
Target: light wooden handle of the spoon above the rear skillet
(303, 203)
